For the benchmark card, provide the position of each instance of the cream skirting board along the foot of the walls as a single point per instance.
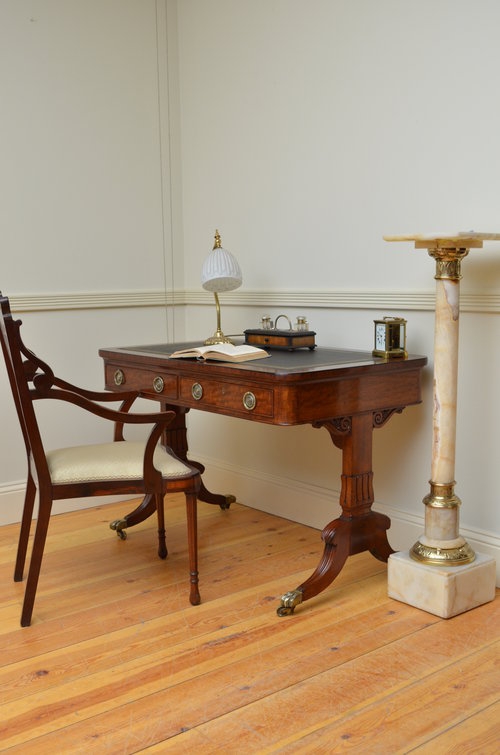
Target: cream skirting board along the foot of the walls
(311, 505)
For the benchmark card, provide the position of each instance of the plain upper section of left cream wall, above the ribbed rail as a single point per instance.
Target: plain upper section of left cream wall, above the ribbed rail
(80, 146)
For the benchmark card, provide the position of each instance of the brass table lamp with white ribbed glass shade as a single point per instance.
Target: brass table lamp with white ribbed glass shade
(220, 272)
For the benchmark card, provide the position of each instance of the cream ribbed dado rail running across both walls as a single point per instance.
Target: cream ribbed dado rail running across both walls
(377, 300)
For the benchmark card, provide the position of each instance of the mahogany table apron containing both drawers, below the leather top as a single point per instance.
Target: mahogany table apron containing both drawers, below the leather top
(273, 401)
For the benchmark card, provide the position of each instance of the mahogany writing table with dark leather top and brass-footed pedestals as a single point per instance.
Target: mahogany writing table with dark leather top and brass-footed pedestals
(349, 393)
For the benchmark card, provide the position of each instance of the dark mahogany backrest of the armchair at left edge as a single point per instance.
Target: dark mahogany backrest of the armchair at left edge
(25, 372)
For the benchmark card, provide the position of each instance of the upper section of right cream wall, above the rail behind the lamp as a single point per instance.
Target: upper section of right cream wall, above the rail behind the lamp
(309, 130)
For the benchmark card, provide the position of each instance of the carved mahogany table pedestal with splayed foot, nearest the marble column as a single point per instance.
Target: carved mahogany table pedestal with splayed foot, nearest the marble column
(358, 528)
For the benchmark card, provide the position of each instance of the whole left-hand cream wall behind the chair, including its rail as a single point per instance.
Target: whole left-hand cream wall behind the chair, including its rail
(89, 255)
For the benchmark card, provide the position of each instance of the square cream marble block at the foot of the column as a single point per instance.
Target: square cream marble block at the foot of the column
(444, 591)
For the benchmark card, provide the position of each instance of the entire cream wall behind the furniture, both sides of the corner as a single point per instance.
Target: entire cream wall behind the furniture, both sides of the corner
(131, 129)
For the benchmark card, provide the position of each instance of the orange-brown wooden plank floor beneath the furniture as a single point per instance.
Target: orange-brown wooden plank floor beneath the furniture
(118, 661)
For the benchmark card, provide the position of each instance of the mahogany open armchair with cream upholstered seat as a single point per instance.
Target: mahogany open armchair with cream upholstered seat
(120, 467)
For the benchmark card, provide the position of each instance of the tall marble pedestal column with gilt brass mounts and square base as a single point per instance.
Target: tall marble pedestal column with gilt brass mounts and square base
(441, 573)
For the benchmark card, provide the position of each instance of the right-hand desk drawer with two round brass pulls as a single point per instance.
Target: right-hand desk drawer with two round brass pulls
(227, 397)
